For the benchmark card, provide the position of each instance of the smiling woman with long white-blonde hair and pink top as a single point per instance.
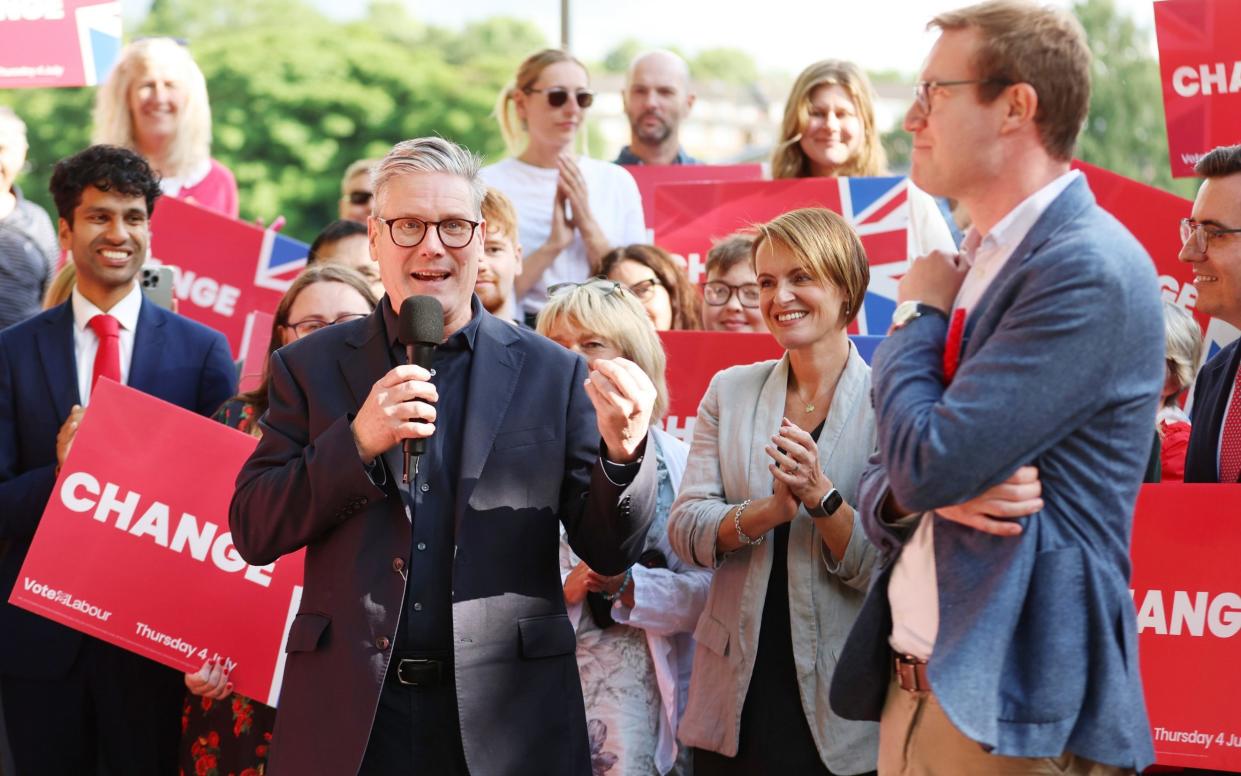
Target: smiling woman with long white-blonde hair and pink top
(156, 102)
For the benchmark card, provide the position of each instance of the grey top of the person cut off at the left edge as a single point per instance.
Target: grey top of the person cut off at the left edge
(28, 256)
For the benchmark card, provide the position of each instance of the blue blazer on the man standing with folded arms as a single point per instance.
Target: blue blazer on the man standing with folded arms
(1062, 368)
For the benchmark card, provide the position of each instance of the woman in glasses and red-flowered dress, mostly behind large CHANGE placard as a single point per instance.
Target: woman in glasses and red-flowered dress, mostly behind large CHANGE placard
(233, 734)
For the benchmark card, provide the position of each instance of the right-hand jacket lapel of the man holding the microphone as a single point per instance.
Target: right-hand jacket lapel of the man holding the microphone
(495, 371)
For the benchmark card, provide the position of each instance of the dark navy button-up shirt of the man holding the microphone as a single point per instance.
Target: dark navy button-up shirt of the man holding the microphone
(431, 497)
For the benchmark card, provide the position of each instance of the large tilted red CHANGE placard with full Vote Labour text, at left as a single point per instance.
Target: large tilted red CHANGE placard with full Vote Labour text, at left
(135, 544)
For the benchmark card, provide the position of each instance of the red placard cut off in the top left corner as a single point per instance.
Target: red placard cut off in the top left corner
(58, 43)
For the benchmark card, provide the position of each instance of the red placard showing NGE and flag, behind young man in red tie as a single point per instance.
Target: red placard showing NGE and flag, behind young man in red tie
(224, 269)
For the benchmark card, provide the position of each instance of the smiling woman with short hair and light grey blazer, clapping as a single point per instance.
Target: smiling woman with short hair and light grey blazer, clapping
(768, 502)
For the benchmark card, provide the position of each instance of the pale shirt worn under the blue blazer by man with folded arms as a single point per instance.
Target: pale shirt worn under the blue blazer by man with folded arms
(913, 592)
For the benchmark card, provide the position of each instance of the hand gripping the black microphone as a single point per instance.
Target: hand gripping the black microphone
(400, 407)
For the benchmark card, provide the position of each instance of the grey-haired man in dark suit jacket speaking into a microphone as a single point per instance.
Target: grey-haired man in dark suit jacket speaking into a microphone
(432, 635)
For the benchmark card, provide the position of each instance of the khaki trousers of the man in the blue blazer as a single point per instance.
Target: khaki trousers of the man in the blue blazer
(916, 739)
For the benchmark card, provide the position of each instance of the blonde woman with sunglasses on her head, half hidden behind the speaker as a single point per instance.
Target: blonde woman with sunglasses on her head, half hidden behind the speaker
(635, 650)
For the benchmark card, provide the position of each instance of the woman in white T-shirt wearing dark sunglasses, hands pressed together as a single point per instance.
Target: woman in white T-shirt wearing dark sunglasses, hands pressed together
(571, 210)
